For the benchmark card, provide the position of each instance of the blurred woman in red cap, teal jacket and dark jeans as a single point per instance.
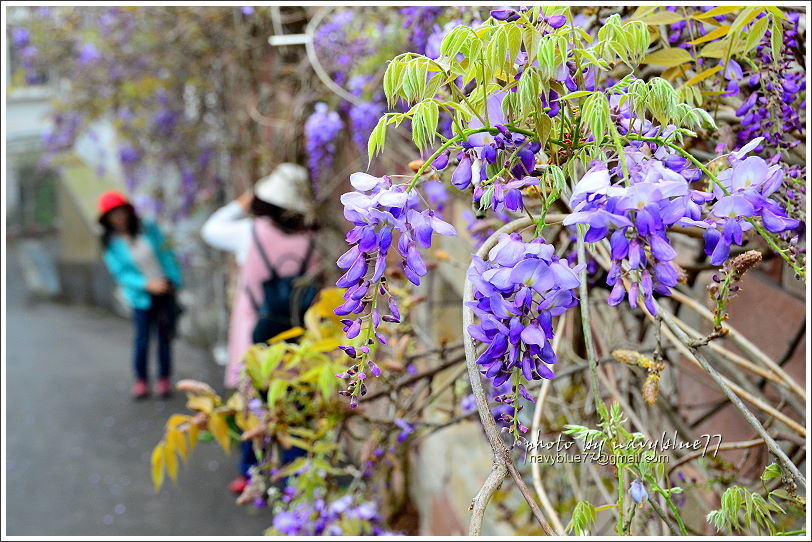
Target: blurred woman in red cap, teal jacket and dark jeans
(148, 273)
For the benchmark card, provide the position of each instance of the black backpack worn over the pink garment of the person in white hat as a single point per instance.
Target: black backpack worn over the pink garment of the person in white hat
(285, 299)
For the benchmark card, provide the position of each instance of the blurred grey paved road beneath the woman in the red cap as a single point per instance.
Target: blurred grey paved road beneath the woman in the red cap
(78, 448)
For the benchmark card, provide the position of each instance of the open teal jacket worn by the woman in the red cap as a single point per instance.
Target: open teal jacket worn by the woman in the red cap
(126, 273)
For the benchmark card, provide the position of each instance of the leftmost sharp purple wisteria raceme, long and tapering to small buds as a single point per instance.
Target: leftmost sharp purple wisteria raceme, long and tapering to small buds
(384, 215)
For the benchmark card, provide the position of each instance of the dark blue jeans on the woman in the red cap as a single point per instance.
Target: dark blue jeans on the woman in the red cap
(161, 315)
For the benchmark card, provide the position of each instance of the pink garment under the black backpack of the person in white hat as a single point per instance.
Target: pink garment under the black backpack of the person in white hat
(286, 253)
